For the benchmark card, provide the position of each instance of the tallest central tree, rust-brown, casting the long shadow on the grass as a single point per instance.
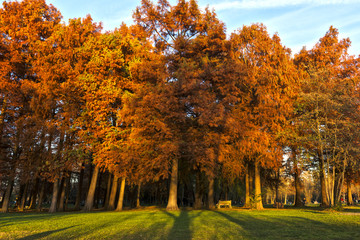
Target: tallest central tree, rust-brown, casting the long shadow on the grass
(191, 42)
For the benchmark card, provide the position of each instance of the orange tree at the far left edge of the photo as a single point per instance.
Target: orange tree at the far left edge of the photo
(23, 26)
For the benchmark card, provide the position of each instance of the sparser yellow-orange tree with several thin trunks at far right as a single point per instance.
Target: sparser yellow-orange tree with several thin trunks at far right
(328, 110)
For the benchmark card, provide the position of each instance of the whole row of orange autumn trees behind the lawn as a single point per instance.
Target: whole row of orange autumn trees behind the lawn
(168, 103)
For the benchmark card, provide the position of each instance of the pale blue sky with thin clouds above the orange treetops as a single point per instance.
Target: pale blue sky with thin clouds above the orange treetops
(298, 22)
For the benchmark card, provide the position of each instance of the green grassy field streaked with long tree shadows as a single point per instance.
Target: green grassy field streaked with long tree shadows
(309, 223)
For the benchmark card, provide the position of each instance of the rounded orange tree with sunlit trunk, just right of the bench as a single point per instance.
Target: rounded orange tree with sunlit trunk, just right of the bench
(265, 90)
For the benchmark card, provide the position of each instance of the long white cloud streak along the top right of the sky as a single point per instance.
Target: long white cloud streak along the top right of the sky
(252, 4)
